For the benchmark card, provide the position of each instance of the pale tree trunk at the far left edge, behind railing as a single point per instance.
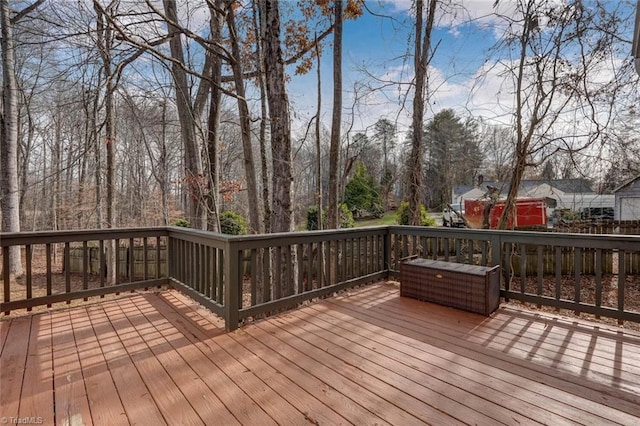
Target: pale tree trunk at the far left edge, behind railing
(9, 191)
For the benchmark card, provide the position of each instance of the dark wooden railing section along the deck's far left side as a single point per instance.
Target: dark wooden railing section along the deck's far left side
(60, 284)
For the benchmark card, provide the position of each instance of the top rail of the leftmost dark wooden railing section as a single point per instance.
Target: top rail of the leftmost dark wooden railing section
(43, 237)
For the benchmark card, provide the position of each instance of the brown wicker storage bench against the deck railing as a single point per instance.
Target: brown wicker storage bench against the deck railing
(468, 287)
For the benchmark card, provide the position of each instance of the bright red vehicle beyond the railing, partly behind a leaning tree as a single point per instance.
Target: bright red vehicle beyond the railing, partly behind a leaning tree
(529, 212)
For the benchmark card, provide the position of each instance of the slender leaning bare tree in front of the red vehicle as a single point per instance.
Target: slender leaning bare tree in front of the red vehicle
(558, 106)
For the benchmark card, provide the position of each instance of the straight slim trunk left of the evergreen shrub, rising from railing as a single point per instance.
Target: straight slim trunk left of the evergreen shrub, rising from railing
(336, 119)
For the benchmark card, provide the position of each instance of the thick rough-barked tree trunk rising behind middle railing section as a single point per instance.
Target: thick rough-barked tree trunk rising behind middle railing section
(282, 193)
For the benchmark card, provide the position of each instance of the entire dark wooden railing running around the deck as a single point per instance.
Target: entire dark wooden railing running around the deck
(245, 277)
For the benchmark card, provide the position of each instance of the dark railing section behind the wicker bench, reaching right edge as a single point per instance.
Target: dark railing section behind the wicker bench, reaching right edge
(584, 273)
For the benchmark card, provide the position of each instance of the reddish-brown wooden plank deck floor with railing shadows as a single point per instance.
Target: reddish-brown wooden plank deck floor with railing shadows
(367, 357)
